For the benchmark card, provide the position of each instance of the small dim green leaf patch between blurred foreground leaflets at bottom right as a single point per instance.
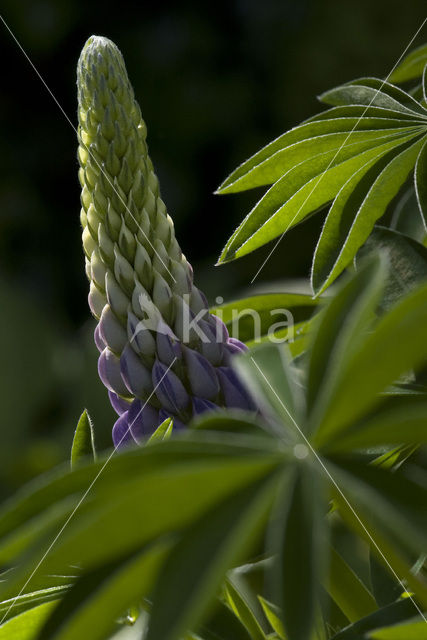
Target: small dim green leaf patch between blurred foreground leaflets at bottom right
(347, 590)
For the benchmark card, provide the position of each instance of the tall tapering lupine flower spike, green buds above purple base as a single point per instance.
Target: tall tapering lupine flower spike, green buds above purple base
(162, 354)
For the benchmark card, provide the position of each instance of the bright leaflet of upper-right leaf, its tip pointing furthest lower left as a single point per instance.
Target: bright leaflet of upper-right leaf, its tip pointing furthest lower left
(301, 191)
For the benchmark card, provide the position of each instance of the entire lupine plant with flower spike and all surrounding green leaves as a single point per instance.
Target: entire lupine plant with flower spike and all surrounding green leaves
(266, 486)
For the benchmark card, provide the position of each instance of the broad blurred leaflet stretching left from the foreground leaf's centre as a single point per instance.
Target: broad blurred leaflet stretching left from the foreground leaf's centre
(117, 519)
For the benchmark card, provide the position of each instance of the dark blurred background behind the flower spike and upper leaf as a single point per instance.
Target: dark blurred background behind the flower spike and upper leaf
(216, 81)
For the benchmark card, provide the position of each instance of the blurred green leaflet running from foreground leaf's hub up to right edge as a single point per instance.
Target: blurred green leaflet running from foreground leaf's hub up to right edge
(397, 345)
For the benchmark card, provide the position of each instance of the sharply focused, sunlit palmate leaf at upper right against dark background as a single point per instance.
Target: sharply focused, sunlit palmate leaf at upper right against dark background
(362, 173)
